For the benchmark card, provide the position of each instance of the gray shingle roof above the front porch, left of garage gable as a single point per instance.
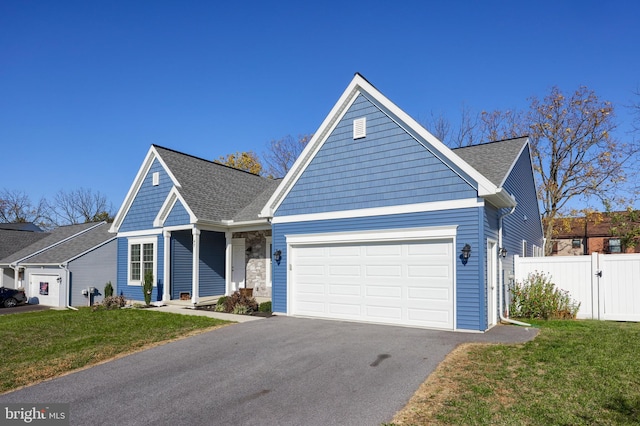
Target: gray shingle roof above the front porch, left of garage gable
(216, 192)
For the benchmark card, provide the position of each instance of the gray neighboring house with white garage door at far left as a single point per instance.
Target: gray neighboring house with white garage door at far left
(62, 265)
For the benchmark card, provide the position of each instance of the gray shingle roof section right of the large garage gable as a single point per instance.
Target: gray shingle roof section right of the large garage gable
(493, 160)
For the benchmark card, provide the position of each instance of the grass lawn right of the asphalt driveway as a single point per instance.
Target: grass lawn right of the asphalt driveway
(573, 373)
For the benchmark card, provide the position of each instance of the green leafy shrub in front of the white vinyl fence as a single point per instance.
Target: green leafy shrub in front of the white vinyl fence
(538, 297)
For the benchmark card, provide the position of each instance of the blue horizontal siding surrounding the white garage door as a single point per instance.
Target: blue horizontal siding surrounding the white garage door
(469, 286)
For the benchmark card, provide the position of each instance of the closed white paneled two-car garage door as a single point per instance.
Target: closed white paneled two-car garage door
(397, 282)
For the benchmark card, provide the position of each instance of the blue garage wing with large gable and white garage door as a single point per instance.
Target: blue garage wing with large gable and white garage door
(372, 221)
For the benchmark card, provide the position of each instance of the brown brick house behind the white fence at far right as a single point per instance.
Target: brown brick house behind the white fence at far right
(594, 233)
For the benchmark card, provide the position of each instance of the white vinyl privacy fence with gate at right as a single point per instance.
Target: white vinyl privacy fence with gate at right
(606, 285)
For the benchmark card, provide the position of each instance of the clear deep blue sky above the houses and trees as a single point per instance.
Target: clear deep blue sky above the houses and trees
(86, 87)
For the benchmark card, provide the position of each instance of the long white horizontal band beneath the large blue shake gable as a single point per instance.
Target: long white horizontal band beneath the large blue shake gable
(384, 211)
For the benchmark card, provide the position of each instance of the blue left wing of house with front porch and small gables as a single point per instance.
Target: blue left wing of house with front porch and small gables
(194, 225)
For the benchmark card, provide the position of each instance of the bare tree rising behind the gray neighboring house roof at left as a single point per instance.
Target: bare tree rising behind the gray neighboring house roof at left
(80, 206)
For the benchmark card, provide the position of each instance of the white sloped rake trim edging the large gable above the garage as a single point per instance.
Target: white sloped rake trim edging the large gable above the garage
(360, 84)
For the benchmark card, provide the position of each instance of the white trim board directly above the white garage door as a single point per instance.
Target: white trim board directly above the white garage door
(395, 234)
